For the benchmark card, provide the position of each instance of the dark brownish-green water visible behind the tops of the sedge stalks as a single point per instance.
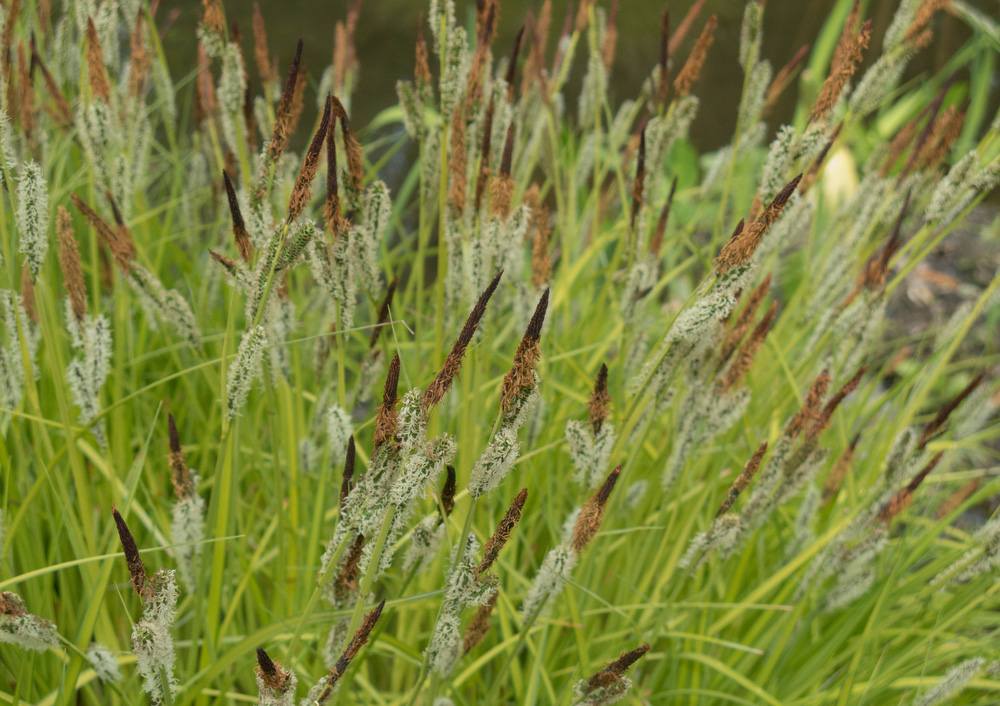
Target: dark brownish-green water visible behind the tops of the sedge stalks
(387, 29)
